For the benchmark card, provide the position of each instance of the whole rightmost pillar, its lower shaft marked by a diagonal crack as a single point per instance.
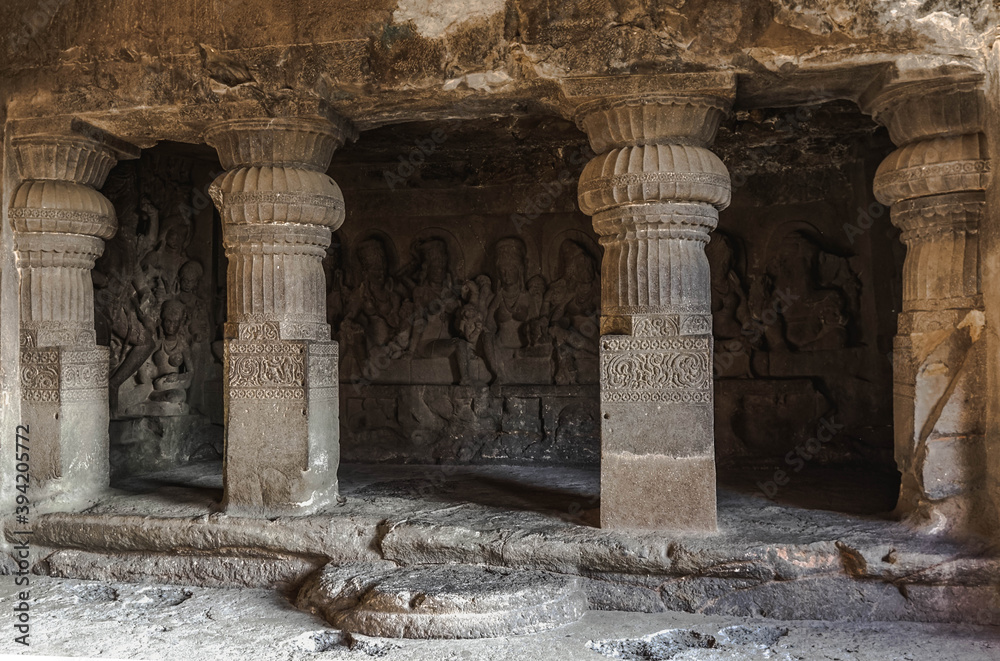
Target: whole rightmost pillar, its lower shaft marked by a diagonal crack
(935, 183)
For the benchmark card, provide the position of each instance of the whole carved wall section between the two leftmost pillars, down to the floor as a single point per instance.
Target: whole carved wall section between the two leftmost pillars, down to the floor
(157, 309)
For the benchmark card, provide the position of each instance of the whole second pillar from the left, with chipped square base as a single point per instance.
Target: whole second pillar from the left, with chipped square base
(278, 210)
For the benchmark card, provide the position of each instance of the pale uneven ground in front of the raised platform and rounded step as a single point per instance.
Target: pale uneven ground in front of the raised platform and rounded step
(129, 621)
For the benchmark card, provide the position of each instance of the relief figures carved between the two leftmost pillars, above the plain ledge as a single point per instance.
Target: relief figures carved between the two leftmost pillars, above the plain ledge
(150, 304)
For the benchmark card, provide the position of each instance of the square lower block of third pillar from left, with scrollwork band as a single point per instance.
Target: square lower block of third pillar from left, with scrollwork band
(657, 433)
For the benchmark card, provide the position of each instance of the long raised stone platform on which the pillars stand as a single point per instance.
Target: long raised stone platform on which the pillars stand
(794, 558)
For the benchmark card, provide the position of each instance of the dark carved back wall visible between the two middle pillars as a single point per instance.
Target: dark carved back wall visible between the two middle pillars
(488, 349)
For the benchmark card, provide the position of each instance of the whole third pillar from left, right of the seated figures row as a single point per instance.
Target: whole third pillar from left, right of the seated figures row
(655, 191)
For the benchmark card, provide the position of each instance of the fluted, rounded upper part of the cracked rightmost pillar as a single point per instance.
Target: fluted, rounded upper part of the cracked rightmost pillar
(935, 183)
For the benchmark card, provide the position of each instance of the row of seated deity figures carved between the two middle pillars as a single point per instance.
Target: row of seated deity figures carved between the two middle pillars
(501, 328)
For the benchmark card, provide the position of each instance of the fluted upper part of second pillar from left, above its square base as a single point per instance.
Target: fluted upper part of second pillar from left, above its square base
(278, 208)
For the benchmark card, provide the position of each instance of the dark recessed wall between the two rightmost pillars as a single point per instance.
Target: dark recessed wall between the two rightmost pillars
(806, 289)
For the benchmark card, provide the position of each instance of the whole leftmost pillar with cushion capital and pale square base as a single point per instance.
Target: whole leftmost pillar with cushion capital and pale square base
(60, 224)
